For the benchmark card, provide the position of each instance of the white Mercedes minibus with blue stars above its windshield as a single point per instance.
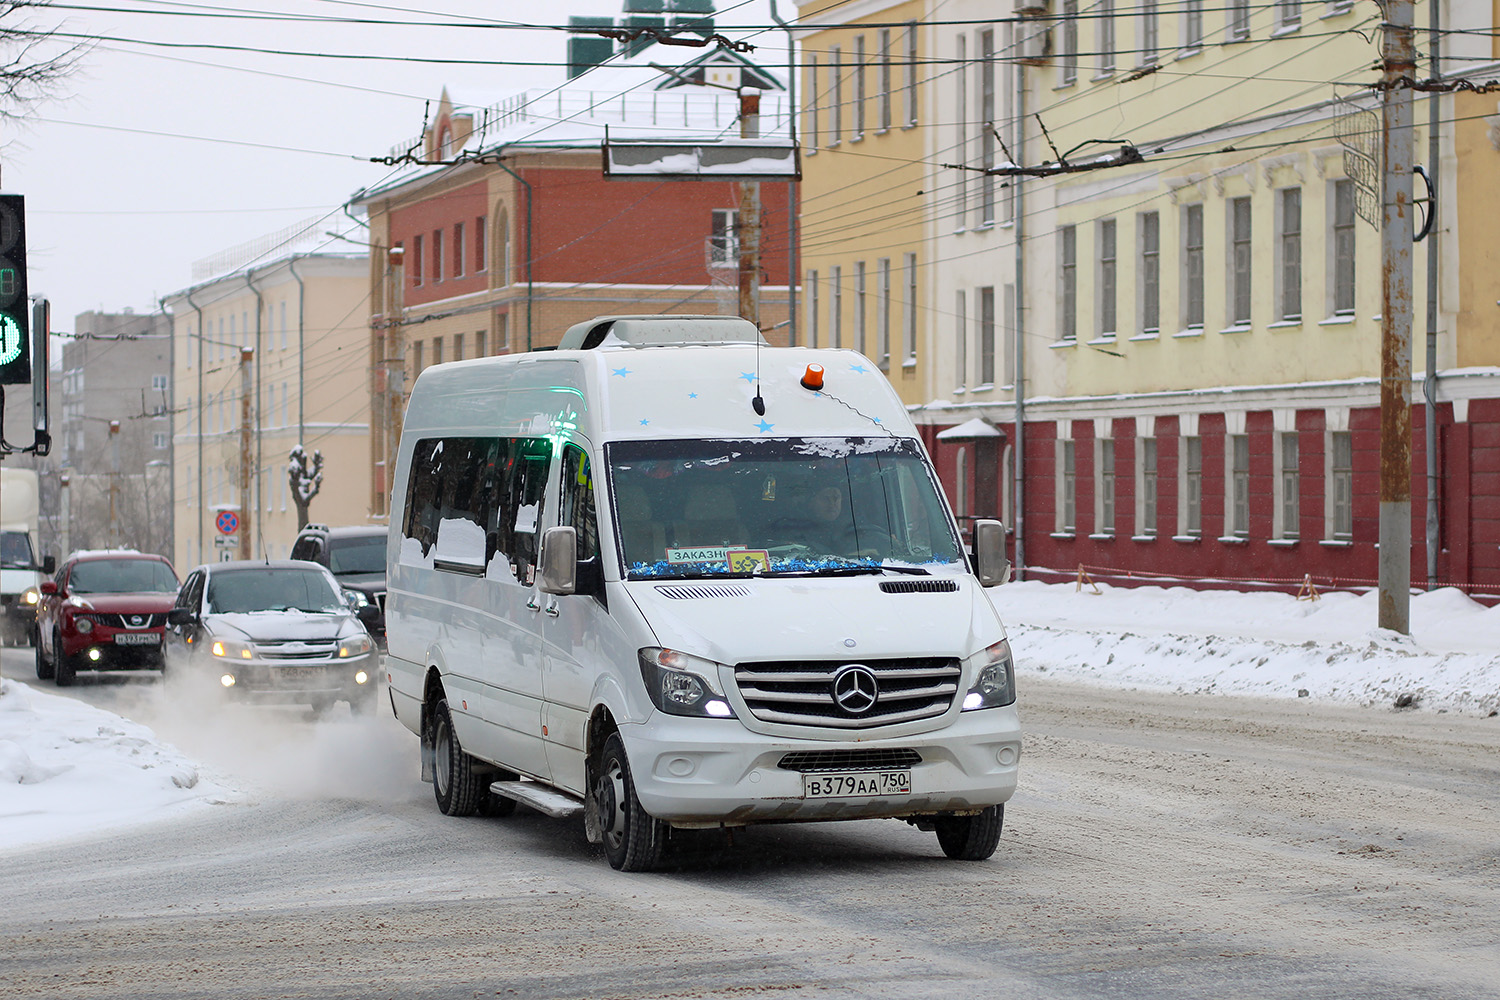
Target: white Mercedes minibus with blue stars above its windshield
(676, 579)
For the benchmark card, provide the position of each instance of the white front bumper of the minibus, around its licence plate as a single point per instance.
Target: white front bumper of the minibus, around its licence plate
(715, 771)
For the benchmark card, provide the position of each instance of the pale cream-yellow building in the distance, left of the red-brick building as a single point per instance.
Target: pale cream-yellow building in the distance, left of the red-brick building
(295, 332)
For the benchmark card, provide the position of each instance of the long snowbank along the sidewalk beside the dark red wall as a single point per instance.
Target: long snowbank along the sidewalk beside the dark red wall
(1267, 645)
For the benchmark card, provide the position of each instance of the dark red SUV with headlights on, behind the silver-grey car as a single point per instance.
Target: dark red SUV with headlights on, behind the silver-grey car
(104, 611)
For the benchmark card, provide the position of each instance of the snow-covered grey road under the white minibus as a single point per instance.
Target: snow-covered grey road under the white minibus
(1162, 846)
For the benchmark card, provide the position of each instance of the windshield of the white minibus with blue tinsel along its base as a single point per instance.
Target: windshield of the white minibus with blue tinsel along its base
(773, 507)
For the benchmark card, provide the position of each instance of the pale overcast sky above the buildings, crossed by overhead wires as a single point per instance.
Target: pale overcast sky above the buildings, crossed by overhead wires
(119, 208)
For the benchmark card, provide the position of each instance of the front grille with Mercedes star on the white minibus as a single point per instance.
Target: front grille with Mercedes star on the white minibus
(848, 693)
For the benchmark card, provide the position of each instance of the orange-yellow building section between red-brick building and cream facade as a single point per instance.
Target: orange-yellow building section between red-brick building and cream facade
(866, 115)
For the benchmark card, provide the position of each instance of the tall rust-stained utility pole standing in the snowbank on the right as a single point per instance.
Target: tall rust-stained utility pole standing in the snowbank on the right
(1396, 322)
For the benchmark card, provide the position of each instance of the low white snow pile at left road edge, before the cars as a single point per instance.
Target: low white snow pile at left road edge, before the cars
(68, 768)
